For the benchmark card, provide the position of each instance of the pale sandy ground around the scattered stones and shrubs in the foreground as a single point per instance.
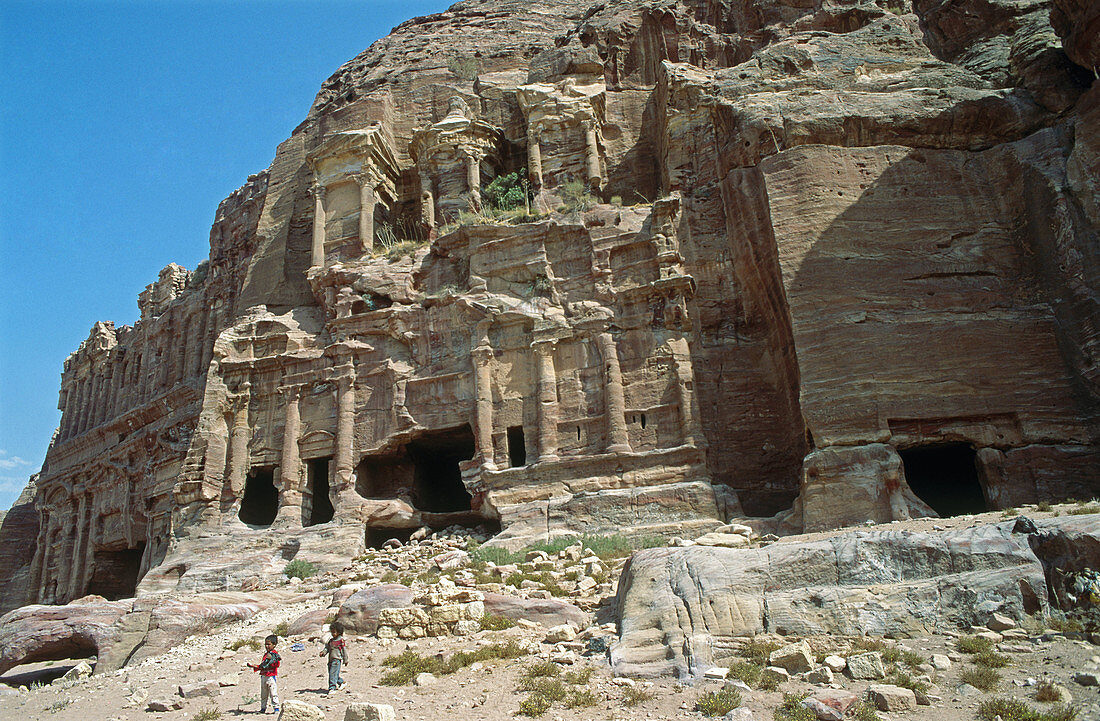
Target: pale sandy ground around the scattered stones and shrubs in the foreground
(489, 692)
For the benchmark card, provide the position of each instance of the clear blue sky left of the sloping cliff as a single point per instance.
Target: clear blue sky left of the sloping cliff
(123, 126)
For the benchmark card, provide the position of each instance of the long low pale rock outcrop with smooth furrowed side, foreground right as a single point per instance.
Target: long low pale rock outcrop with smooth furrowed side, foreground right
(680, 608)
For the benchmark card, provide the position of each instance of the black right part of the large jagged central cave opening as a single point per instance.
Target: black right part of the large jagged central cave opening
(437, 482)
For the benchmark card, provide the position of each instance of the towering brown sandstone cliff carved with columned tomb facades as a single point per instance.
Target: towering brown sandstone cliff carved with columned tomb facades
(837, 253)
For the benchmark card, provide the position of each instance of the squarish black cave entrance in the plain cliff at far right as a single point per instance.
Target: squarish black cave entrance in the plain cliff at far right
(947, 478)
